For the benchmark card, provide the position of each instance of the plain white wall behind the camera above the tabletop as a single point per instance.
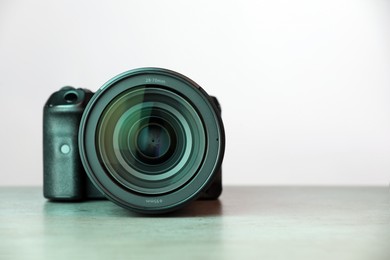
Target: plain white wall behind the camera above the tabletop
(304, 85)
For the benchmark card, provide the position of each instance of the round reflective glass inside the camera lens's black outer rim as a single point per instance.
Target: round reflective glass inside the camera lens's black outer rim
(151, 140)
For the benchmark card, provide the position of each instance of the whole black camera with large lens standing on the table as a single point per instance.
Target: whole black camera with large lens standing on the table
(151, 140)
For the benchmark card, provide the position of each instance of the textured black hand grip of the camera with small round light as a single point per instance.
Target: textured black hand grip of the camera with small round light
(64, 177)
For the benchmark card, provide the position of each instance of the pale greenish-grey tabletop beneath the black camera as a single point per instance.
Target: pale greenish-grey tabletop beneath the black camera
(245, 223)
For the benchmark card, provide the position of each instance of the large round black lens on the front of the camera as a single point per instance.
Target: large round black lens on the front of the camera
(151, 140)
